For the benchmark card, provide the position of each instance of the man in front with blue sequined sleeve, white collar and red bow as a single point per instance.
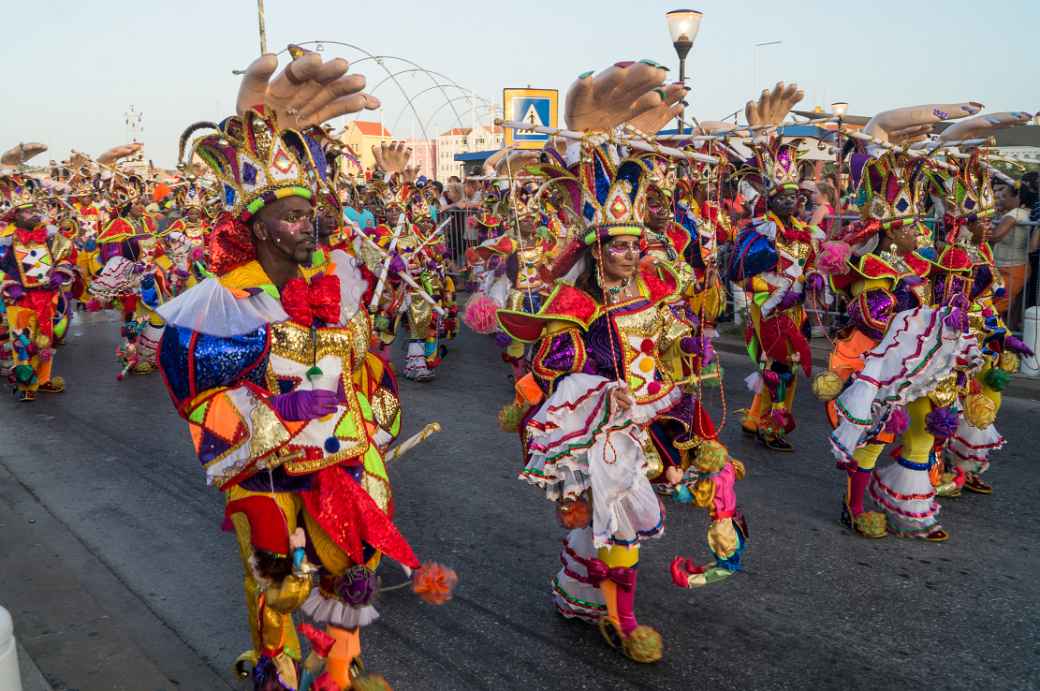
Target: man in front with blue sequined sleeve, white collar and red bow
(291, 414)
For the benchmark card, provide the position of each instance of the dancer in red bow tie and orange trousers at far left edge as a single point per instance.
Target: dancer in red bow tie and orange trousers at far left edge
(38, 266)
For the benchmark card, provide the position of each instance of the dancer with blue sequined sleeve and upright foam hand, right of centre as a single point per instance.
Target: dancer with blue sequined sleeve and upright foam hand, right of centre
(774, 261)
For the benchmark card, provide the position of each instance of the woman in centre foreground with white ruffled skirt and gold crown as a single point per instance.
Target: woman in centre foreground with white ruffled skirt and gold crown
(599, 362)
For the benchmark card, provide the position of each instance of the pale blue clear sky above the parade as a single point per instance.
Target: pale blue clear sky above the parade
(73, 68)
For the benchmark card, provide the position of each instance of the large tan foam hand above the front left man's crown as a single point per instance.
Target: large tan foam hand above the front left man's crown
(307, 92)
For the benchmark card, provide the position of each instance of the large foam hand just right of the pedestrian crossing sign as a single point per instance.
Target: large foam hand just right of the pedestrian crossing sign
(632, 93)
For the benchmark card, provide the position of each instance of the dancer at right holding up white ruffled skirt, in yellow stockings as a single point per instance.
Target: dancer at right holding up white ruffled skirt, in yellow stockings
(909, 381)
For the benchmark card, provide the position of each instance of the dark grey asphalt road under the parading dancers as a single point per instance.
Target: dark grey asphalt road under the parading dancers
(119, 577)
